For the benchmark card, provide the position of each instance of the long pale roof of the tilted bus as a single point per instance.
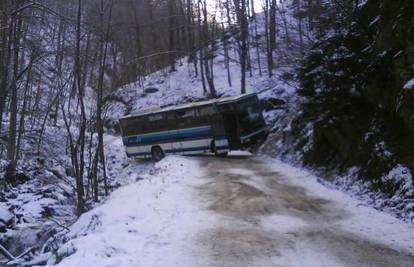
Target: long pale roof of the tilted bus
(224, 100)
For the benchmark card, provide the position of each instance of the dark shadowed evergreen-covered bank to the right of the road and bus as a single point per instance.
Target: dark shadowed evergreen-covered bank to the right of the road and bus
(357, 111)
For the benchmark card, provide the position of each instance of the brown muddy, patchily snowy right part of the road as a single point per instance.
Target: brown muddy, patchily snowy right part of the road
(269, 219)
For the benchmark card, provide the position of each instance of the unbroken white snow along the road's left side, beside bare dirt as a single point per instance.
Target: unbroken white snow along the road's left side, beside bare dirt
(140, 224)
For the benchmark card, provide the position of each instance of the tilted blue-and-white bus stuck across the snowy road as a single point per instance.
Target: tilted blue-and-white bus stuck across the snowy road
(212, 126)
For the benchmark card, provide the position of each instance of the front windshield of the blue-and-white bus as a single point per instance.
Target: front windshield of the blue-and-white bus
(249, 114)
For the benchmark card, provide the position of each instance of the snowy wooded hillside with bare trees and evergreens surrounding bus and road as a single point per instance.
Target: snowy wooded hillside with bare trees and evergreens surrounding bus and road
(335, 78)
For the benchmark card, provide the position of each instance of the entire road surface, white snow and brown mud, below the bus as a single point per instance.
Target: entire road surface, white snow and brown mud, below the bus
(237, 211)
